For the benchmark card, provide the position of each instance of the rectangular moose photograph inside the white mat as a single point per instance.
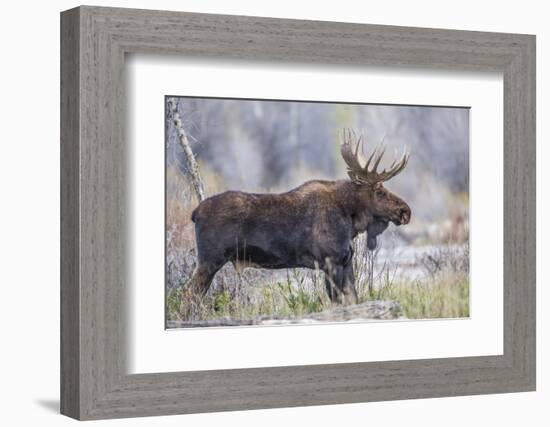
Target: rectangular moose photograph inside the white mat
(293, 212)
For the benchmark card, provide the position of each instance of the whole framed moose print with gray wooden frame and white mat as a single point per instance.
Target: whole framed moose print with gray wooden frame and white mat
(281, 213)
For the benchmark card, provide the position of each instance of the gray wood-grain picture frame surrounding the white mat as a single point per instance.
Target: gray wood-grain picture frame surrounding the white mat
(94, 41)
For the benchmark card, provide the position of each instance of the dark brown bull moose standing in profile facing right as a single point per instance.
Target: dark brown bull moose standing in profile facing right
(311, 226)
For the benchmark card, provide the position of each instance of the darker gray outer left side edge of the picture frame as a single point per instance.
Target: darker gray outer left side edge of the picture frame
(70, 292)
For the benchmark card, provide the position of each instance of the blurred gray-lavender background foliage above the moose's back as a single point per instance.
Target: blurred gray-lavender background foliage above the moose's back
(255, 145)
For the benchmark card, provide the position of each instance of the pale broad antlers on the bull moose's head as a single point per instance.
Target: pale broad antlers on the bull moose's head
(362, 174)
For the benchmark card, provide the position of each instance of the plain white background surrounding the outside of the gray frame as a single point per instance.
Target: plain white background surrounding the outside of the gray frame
(29, 224)
